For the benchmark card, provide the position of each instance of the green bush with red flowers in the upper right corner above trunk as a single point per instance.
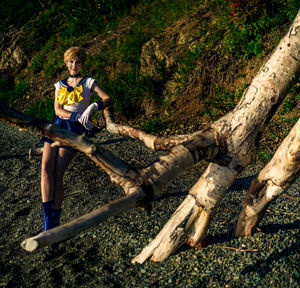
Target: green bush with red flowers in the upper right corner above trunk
(251, 20)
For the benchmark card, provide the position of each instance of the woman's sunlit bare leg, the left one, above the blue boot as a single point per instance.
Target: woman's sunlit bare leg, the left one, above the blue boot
(47, 173)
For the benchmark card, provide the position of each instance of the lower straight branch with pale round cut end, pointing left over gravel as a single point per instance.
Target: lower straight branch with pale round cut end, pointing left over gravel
(66, 231)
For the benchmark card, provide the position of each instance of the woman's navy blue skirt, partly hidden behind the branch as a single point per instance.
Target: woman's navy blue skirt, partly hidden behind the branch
(75, 127)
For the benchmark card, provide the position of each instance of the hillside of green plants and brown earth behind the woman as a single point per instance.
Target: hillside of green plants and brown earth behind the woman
(180, 63)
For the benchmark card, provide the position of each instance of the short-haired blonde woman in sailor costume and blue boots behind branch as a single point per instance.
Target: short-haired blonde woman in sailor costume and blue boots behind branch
(72, 112)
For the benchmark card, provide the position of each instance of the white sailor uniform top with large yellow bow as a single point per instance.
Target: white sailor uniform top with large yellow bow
(75, 99)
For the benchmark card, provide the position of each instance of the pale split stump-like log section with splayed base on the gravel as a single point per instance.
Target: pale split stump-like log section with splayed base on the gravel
(190, 221)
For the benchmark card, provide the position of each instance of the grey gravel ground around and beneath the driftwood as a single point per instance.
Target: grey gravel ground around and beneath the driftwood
(101, 256)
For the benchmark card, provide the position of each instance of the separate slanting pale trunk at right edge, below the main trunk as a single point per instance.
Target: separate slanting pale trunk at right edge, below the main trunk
(270, 182)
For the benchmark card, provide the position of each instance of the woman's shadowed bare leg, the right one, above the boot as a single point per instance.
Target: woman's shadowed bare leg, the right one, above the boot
(63, 159)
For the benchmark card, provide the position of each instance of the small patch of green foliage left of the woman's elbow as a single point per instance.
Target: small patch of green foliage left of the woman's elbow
(43, 109)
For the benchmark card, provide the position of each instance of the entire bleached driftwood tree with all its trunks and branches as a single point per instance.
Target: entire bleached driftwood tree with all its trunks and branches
(228, 144)
